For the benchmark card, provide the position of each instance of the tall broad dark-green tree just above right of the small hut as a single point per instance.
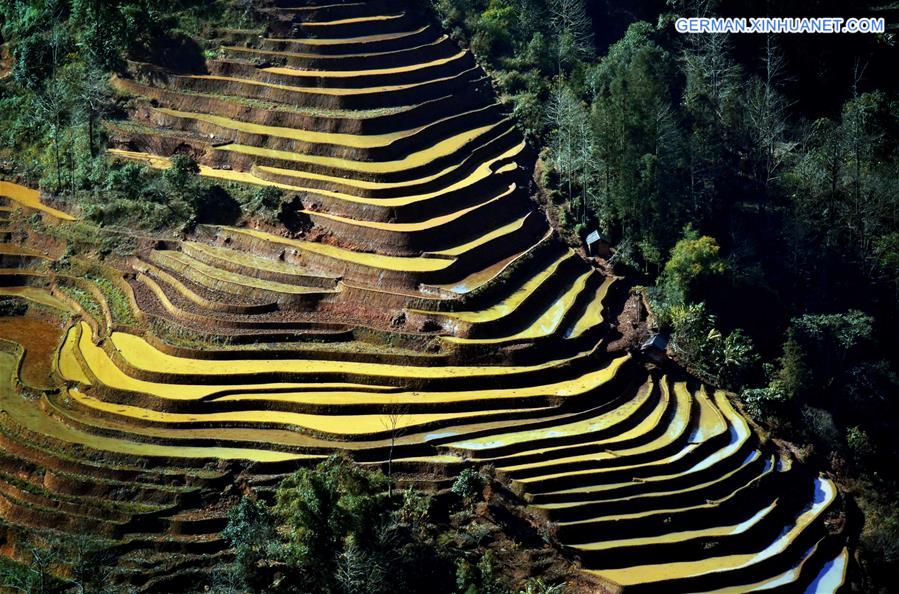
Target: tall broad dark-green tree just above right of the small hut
(638, 144)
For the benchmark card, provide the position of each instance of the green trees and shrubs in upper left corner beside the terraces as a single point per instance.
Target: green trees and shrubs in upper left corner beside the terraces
(54, 99)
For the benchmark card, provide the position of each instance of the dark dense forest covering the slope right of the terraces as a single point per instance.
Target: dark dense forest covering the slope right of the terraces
(765, 223)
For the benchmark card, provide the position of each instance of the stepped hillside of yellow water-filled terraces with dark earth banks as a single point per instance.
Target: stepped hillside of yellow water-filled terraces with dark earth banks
(431, 304)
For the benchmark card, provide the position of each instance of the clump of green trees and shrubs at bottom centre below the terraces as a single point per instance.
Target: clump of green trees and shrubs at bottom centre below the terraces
(337, 529)
